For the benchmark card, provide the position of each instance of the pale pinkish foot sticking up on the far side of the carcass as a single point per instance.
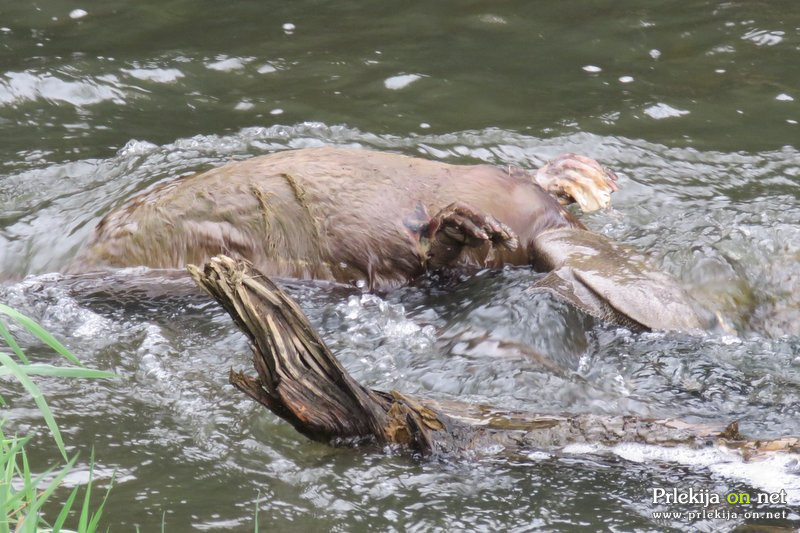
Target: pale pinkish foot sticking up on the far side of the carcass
(576, 178)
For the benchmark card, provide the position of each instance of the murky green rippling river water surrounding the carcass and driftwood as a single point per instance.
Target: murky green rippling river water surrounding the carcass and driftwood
(695, 103)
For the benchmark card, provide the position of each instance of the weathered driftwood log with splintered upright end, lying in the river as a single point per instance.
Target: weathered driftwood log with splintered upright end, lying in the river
(300, 380)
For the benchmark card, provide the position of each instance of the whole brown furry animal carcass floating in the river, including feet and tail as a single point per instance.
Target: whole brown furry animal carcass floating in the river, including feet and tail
(351, 215)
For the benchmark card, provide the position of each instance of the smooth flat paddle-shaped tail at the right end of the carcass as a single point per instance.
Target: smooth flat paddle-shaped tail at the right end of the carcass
(613, 284)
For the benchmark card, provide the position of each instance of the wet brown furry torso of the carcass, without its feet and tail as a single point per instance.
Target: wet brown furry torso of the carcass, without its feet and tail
(324, 213)
